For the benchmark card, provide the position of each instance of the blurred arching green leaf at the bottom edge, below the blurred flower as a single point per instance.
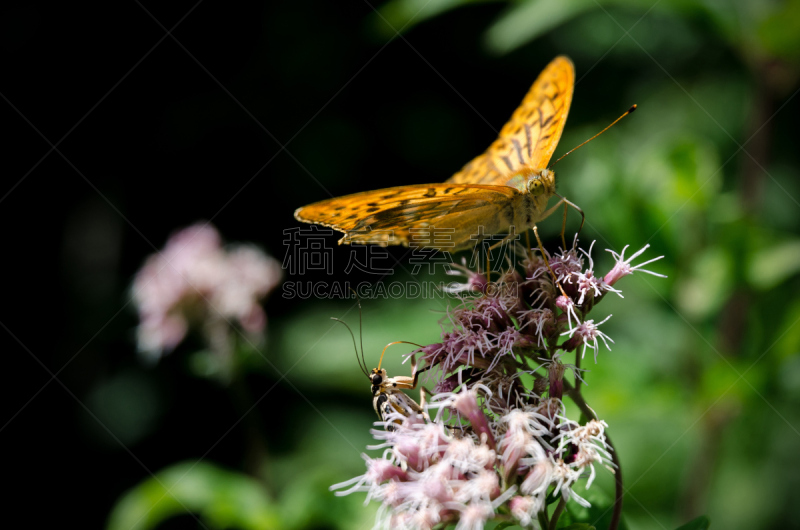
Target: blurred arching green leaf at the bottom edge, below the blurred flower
(220, 498)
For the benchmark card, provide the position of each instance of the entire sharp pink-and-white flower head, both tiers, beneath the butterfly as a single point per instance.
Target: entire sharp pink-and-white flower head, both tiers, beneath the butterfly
(487, 446)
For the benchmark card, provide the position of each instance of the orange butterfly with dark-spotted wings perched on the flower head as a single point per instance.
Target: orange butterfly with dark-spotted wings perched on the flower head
(507, 188)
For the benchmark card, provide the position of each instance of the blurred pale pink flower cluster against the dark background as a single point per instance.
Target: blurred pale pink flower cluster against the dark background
(195, 280)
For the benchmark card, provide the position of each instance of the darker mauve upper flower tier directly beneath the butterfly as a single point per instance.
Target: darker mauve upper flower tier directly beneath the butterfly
(516, 312)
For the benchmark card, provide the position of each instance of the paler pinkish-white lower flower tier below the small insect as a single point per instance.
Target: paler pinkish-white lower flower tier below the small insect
(432, 472)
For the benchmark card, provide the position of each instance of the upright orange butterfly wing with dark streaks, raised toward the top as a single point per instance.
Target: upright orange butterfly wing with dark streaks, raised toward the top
(530, 137)
